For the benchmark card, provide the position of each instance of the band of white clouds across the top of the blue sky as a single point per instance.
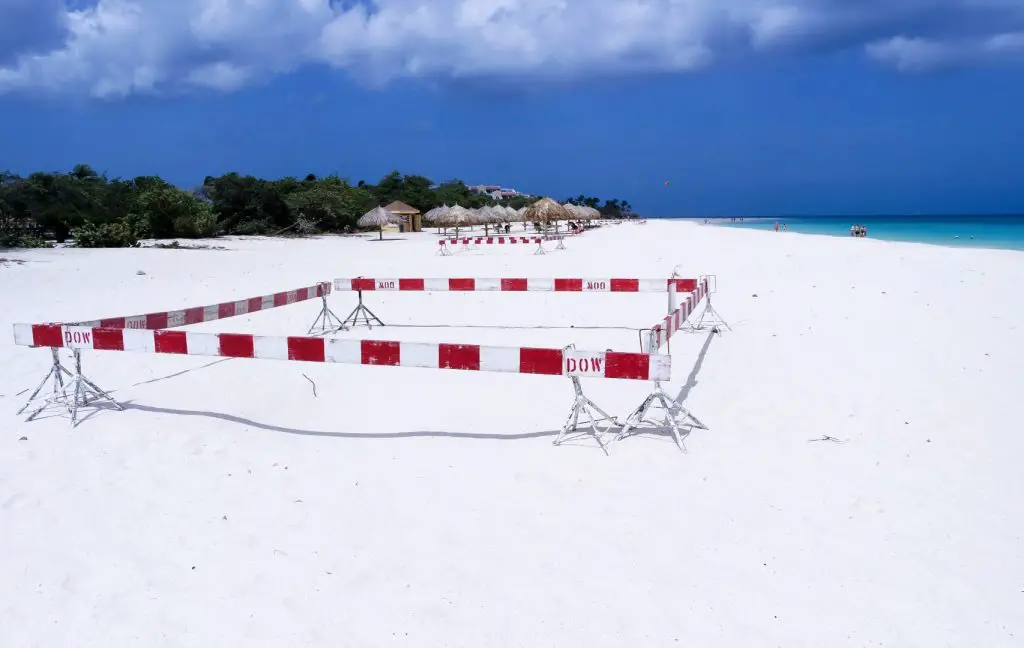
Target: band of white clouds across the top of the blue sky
(118, 48)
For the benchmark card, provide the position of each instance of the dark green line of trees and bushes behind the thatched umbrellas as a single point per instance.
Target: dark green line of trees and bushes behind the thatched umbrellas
(95, 211)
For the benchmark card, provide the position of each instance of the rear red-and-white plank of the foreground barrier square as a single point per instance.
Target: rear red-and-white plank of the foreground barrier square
(515, 285)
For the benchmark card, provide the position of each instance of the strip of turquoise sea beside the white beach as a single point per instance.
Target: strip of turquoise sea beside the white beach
(1005, 233)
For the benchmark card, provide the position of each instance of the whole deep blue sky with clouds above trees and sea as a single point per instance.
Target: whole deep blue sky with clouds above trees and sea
(685, 108)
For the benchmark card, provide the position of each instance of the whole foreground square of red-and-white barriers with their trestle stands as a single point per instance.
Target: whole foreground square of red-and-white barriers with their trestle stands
(152, 334)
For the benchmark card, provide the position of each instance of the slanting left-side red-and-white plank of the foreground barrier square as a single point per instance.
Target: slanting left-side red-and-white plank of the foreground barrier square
(199, 315)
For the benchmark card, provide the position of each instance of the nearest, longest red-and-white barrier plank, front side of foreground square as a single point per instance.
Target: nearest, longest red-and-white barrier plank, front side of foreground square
(570, 363)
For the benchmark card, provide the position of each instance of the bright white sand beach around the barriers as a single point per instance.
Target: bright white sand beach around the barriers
(228, 506)
